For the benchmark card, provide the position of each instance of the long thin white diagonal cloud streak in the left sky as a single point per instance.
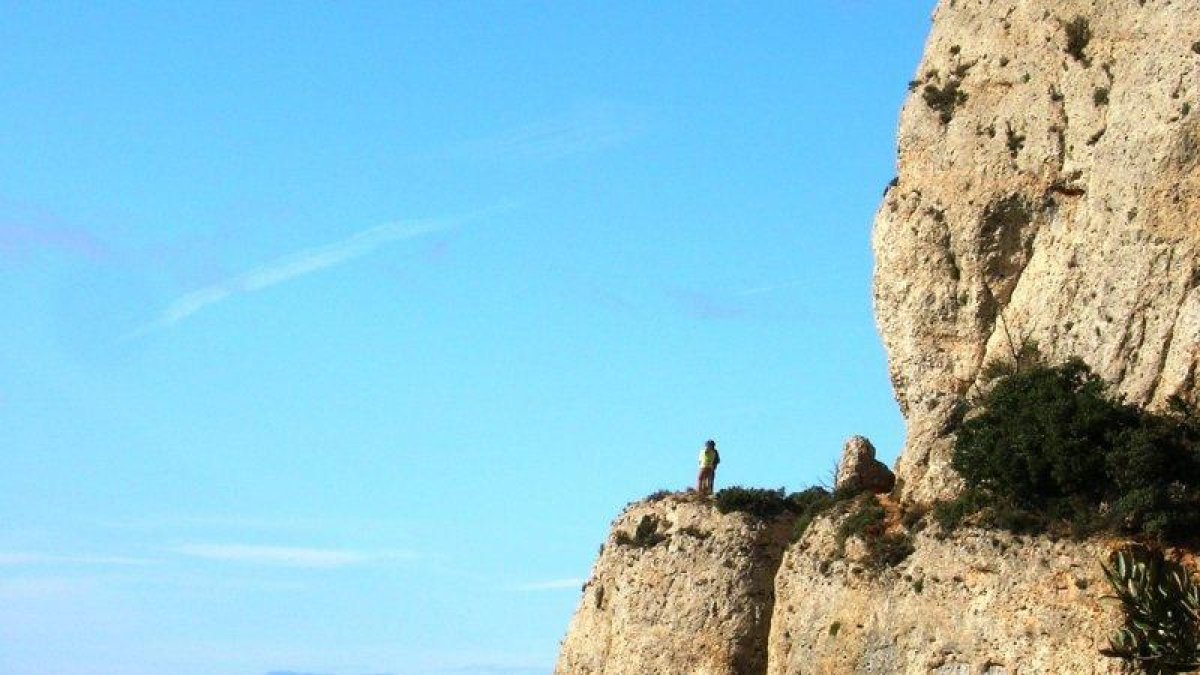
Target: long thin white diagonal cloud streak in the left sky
(295, 266)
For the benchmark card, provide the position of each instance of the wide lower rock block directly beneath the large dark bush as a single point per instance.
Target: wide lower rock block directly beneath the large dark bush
(973, 604)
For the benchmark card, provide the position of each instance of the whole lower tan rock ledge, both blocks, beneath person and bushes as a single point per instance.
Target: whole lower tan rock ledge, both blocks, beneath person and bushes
(682, 589)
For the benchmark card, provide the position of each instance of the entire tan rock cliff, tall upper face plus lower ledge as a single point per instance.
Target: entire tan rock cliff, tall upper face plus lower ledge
(1048, 190)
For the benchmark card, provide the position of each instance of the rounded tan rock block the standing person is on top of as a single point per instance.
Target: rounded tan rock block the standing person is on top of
(692, 595)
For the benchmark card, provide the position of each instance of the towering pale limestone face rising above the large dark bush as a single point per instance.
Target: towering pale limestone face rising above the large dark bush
(1048, 189)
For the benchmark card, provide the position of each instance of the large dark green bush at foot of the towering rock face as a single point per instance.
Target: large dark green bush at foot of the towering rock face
(1052, 445)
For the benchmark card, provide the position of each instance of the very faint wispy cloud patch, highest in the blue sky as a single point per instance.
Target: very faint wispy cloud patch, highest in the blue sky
(583, 132)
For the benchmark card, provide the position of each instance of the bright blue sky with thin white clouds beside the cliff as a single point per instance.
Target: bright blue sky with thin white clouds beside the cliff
(337, 334)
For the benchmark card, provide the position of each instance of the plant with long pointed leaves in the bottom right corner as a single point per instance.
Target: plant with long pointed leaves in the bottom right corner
(1161, 605)
